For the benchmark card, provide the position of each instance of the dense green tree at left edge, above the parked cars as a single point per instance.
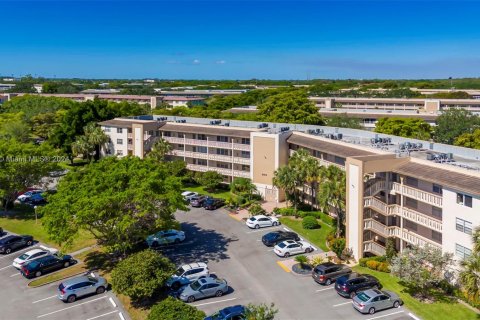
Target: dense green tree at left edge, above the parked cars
(23, 165)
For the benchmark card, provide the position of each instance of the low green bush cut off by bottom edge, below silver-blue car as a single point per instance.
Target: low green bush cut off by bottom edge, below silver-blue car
(174, 309)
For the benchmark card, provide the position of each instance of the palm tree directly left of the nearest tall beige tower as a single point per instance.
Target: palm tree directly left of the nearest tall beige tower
(333, 194)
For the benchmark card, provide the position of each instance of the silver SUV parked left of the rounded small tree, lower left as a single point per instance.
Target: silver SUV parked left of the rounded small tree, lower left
(72, 289)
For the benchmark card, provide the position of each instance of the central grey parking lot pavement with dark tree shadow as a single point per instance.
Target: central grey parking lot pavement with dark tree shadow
(235, 252)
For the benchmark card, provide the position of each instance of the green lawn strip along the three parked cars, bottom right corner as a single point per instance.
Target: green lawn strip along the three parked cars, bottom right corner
(426, 311)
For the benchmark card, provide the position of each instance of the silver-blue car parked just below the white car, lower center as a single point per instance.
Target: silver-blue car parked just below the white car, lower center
(204, 288)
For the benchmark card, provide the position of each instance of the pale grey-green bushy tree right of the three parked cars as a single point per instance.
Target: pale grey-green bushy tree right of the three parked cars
(421, 268)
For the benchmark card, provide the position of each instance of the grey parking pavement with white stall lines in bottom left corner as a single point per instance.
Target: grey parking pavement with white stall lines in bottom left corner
(18, 301)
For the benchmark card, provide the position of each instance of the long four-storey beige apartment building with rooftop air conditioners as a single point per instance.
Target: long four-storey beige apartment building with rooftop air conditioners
(424, 193)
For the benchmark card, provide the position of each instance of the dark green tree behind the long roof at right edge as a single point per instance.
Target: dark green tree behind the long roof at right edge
(452, 123)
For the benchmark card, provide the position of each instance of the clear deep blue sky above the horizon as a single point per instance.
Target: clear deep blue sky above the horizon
(240, 39)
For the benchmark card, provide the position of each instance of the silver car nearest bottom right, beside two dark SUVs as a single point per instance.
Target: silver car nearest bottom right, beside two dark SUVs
(370, 301)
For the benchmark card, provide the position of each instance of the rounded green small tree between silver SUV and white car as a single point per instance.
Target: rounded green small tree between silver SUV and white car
(141, 275)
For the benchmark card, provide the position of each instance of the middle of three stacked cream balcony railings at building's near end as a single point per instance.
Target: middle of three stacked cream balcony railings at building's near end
(407, 213)
